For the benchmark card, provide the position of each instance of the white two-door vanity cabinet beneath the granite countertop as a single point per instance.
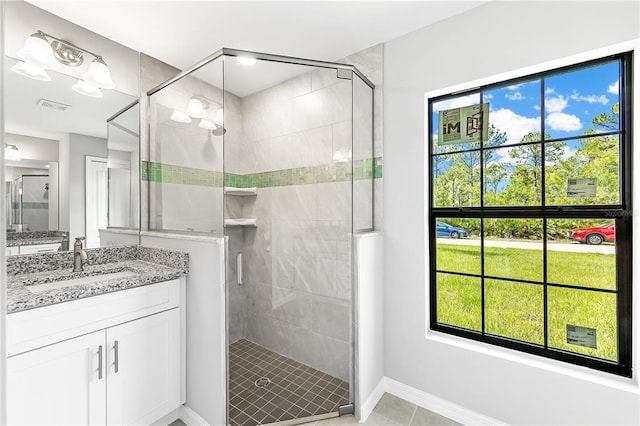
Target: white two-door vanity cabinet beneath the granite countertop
(128, 371)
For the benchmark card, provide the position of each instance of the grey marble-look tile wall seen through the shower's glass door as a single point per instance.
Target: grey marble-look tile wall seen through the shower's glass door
(296, 294)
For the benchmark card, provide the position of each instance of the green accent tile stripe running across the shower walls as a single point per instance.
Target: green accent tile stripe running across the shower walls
(326, 173)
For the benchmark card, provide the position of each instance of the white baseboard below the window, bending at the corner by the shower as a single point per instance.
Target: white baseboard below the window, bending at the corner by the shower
(427, 401)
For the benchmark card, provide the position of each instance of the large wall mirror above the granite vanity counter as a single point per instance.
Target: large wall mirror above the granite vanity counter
(74, 149)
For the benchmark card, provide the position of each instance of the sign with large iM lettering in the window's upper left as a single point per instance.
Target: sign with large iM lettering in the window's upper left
(464, 125)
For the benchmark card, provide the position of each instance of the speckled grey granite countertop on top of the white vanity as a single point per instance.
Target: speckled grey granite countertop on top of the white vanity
(35, 281)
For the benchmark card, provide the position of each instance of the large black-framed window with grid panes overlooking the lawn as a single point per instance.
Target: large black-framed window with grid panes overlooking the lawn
(530, 214)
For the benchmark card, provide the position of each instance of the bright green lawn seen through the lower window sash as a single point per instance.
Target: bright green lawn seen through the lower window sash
(516, 310)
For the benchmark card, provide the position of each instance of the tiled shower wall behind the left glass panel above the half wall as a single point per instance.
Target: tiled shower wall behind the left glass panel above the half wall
(192, 200)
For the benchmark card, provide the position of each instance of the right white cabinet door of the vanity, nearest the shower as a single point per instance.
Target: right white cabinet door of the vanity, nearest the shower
(144, 369)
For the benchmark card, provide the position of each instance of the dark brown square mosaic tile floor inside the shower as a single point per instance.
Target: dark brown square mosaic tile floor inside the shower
(266, 387)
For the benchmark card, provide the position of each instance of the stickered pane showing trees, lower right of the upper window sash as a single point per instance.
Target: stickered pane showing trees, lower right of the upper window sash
(583, 172)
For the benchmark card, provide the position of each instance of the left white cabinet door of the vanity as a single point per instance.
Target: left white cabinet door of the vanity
(58, 384)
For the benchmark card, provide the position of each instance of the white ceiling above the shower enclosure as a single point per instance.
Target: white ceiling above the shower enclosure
(181, 33)
